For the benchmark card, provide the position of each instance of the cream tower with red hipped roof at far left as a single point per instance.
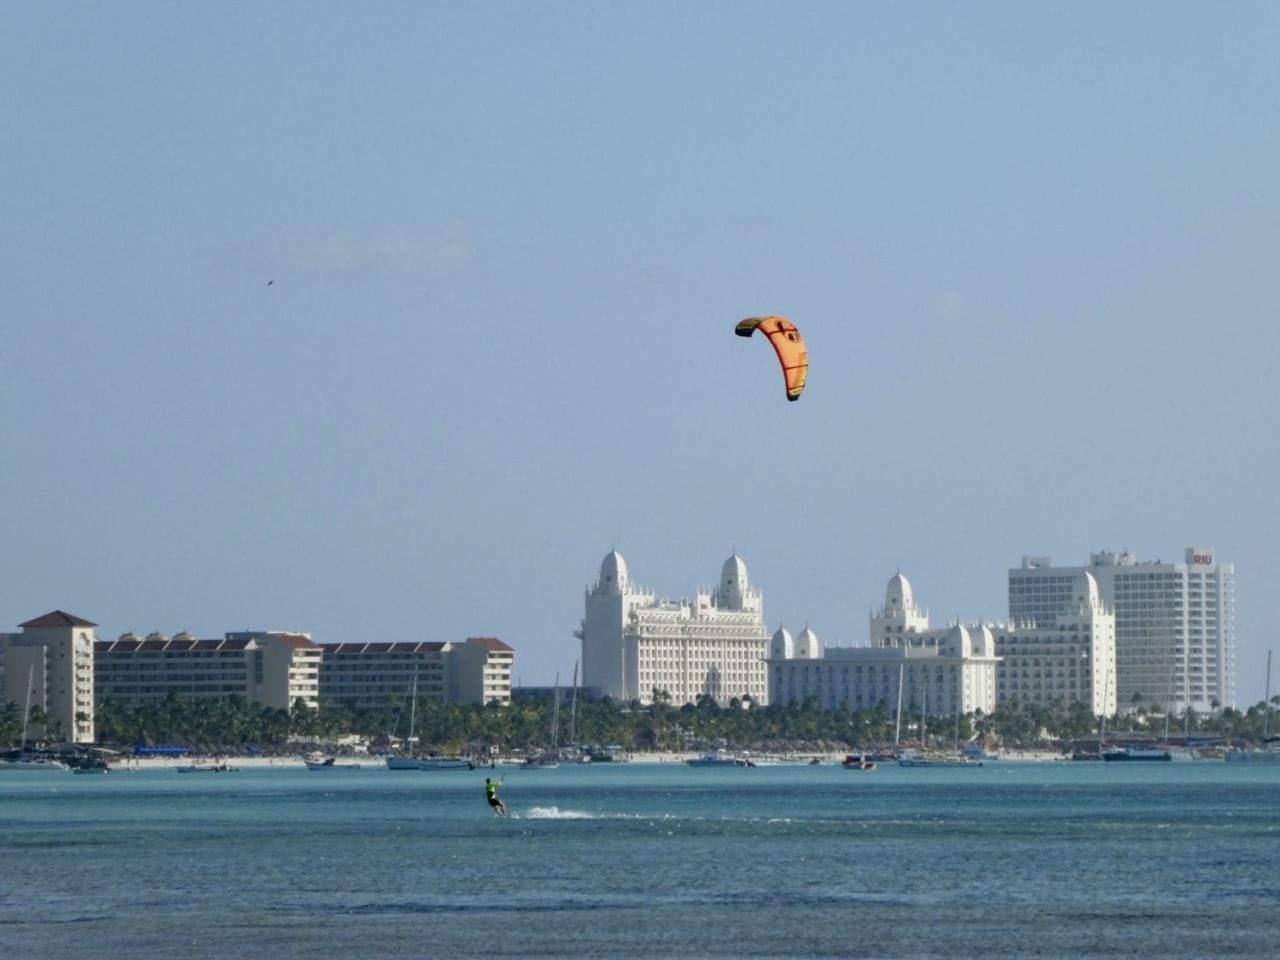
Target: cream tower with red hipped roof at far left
(51, 666)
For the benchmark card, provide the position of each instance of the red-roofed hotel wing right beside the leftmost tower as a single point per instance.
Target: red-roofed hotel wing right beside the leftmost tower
(269, 668)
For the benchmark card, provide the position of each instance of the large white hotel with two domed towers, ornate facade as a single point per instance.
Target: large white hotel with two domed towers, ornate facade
(634, 644)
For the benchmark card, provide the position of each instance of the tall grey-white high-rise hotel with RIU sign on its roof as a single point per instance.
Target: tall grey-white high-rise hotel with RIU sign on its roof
(1174, 623)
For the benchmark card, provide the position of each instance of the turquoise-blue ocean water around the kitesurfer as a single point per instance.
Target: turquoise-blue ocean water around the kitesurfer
(1014, 860)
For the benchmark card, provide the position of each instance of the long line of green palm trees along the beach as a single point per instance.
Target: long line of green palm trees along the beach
(534, 724)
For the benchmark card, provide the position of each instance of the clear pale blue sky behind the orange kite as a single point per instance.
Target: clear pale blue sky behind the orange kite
(388, 322)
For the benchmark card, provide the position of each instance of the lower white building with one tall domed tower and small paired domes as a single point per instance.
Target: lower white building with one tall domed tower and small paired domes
(929, 671)
